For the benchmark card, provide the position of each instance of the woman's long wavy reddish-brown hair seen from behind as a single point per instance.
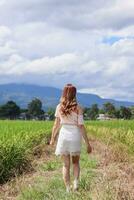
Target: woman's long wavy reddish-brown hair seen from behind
(68, 102)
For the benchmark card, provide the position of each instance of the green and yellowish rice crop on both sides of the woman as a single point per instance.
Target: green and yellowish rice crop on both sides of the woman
(18, 140)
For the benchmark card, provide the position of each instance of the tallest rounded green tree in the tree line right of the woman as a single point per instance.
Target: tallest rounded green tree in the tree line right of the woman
(109, 109)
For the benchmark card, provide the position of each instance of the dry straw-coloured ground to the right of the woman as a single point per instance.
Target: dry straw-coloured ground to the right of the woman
(115, 179)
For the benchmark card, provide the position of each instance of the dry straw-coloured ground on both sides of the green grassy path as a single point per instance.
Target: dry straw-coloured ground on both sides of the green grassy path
(114, 175)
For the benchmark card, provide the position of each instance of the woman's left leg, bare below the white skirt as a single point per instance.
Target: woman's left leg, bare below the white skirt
(66, 169)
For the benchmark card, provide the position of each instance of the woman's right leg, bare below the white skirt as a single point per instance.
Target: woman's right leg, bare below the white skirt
(76, 170)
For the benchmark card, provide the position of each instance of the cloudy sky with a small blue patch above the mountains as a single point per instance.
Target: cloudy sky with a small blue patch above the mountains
(53, 42)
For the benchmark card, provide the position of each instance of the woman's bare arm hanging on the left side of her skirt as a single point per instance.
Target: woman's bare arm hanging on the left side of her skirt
(55, 130)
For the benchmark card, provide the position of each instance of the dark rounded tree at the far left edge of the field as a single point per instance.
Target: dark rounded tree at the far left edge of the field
(9, 110)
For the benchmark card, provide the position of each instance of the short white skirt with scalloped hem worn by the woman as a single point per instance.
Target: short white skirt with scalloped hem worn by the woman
(69, 140)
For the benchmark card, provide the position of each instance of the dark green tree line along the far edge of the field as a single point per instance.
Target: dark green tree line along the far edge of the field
(34, 110)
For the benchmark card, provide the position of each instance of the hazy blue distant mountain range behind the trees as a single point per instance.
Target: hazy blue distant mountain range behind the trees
(22, 94)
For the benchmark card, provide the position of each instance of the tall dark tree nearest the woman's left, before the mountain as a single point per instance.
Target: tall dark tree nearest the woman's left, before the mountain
(35, 107)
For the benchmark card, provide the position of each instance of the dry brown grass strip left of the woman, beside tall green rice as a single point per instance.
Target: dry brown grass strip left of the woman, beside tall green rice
(11, 189)
